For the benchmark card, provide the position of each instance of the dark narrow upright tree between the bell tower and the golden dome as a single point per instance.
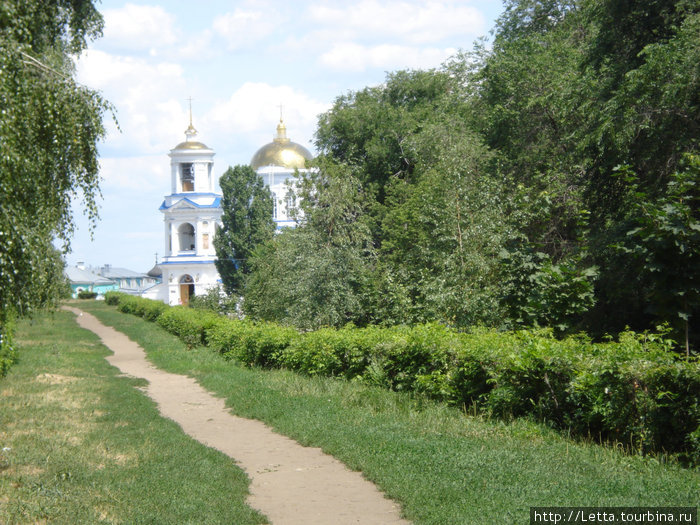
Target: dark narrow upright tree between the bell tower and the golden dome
(246, 223)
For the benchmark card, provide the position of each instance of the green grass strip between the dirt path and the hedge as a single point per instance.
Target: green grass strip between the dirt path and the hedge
(443, 466)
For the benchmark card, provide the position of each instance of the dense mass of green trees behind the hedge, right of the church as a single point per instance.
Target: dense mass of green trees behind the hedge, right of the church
(552, 179)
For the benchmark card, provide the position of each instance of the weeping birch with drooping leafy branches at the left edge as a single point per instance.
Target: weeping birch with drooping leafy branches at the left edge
(49, 129)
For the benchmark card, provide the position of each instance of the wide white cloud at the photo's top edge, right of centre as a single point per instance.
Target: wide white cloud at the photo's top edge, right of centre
(407, 22)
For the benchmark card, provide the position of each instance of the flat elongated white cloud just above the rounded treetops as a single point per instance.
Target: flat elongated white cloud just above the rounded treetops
(356, 57)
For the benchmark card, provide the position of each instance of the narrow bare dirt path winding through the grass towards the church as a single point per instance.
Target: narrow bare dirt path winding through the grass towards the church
(290, 484)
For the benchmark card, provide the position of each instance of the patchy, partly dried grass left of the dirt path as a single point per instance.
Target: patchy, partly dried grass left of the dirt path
(81, 444)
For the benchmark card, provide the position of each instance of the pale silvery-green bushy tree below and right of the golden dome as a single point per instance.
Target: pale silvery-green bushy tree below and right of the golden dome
(317, 274)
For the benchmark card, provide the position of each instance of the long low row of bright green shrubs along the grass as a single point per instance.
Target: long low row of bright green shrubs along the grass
(635, 391)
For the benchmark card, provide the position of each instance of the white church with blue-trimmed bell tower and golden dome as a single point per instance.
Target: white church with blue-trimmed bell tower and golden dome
(192, 211)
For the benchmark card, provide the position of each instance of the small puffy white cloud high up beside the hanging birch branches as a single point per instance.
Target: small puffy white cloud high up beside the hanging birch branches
(139, 27)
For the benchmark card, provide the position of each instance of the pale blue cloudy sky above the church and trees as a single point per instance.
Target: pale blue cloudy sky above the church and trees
(239, 62)
